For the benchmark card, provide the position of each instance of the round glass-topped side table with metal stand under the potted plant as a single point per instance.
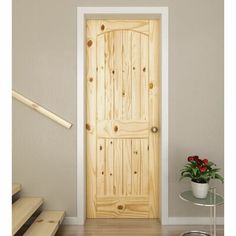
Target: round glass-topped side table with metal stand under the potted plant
(212, 201)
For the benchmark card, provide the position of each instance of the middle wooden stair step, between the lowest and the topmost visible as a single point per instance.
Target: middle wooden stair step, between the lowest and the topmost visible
(22, 210)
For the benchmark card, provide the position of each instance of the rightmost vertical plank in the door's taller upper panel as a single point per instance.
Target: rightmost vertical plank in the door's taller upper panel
(144, 77)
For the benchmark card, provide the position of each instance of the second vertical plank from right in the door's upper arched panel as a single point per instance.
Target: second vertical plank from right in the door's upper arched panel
(136, 75)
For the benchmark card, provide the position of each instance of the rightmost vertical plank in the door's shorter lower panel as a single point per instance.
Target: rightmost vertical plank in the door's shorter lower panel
(144, 166)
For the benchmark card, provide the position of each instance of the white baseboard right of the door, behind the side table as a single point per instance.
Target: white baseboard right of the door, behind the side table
(193, 221)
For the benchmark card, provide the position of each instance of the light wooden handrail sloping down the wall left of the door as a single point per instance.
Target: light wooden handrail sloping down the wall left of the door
(41, 110)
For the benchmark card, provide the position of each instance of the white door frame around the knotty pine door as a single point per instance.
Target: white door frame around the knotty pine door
(84, 13)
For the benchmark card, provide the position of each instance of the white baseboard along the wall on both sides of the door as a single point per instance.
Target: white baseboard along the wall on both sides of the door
(170, 221)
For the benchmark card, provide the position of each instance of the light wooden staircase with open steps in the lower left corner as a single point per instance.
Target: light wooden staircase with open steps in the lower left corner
(46, 224)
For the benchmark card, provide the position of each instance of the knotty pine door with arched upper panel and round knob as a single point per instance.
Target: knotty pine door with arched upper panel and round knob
(122, 107)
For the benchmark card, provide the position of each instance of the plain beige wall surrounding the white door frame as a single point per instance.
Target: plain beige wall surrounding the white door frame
(44, 69)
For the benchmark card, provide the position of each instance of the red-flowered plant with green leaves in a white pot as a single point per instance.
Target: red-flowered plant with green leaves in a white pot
(200, 172)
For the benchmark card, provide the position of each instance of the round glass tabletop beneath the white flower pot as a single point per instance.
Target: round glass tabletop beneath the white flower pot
(211, 199)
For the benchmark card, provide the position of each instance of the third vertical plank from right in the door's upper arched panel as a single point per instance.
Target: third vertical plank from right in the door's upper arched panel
(127, 74)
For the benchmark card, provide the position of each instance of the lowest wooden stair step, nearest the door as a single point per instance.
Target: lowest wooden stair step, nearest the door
(46, 224)
